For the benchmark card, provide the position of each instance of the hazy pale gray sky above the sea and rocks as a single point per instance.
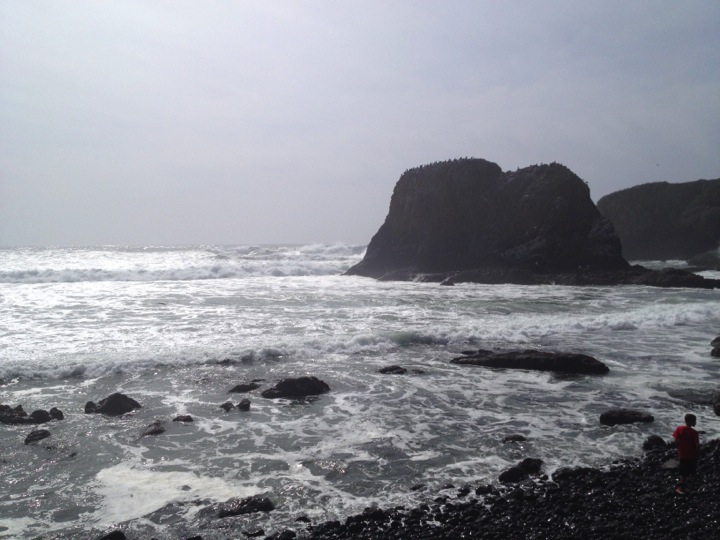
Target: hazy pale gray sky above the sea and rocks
(184, 122)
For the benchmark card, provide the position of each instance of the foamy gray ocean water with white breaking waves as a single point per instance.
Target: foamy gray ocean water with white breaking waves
(175, 328)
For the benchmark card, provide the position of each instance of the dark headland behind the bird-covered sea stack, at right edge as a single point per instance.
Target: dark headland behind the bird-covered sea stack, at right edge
(661, 221)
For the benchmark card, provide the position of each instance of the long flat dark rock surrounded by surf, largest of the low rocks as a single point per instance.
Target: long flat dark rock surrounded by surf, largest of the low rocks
(535, 360)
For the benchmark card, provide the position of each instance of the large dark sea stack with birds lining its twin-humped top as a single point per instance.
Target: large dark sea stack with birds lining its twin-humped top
(468, 214)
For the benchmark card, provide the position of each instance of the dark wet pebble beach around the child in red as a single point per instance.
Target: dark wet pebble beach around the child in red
(630, 500)
